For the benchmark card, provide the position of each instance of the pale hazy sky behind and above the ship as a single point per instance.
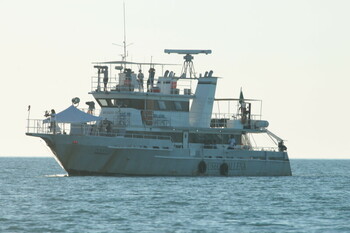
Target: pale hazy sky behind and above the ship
(294, 55)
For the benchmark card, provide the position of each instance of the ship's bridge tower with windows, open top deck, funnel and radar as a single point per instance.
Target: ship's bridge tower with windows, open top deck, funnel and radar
(185, 99)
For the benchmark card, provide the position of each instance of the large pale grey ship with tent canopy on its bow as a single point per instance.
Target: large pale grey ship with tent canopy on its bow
(143, 125)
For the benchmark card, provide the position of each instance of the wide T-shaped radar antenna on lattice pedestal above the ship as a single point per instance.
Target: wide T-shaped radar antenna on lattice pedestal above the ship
(188, 63)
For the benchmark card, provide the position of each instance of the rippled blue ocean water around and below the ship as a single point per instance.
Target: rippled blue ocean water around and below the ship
(36, 196)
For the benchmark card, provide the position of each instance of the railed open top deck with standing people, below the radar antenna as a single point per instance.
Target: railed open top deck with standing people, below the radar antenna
(127, 81)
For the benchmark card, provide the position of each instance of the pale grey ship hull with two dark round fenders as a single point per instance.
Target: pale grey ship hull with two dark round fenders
(118, 156)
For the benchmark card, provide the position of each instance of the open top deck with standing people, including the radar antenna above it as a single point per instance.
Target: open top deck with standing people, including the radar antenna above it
(124, 77)
